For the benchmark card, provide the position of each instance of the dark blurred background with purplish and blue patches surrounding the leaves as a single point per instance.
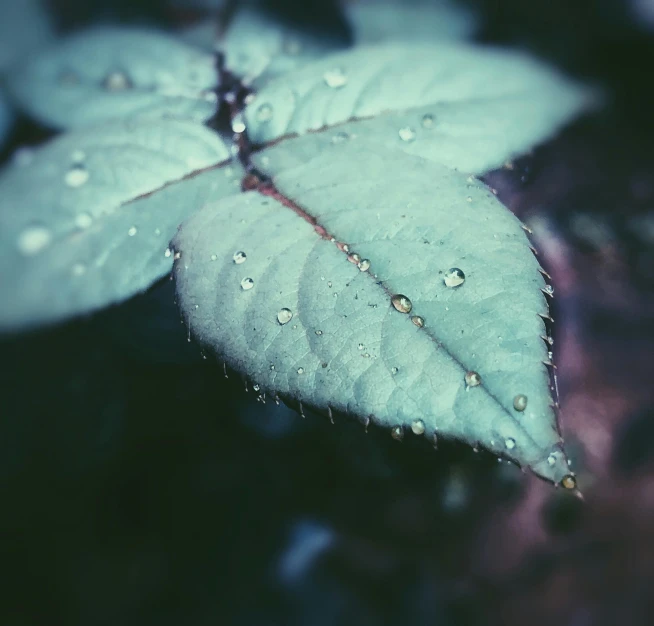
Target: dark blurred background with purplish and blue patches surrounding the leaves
(138, 485)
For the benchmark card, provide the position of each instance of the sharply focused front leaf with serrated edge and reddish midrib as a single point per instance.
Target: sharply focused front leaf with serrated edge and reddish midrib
(261, 281)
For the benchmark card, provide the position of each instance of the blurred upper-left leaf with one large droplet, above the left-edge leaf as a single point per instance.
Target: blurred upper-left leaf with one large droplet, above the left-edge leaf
(115, 72)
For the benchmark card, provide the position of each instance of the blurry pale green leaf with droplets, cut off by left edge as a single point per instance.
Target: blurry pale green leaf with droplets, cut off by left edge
(88, 221)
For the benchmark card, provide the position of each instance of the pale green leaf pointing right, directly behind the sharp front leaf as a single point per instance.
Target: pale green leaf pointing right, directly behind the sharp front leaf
(467, 107)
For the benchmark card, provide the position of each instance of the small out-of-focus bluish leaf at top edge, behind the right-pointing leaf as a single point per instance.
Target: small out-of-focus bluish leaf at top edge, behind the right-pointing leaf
(375, 21)
